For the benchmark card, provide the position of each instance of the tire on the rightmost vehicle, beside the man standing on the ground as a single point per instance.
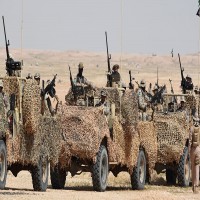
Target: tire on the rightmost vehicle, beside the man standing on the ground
(183, 170)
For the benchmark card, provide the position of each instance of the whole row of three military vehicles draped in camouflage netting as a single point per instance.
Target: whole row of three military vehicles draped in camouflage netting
(84, 137)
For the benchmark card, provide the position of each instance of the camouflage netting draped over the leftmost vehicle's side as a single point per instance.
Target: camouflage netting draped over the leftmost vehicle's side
(23, 147)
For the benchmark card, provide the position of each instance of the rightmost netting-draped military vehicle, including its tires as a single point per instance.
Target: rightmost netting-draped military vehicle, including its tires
(172, 130)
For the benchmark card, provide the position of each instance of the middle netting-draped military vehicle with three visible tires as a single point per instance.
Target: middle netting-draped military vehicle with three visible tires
(98, 143)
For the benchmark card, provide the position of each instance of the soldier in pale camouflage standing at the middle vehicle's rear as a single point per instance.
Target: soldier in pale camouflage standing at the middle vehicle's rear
(142, 98)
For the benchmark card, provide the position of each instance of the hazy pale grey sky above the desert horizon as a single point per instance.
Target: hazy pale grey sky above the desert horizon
(148, 26)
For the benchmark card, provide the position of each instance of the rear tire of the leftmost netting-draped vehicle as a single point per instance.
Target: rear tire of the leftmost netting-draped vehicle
(40, 174)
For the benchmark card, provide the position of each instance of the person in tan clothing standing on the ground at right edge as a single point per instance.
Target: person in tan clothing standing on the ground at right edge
(195, 154)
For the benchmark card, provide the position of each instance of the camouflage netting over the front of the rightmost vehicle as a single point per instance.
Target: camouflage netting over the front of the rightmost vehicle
(172, 131)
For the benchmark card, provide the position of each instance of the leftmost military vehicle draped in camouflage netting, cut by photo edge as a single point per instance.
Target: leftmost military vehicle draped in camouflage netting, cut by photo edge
(27, 138)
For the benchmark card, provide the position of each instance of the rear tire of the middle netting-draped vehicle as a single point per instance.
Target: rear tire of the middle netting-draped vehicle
(138, 177)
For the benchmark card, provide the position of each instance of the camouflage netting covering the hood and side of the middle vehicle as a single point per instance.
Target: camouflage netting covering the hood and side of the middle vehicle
(124, 147)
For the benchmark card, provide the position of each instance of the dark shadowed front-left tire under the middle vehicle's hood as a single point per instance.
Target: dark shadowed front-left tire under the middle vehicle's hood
(58, 177)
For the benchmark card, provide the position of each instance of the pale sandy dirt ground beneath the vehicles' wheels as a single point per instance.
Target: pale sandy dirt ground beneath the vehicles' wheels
(80, 187)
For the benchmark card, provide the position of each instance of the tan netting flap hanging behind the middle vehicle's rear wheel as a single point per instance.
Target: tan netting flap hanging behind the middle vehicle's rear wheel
(148, 139)
